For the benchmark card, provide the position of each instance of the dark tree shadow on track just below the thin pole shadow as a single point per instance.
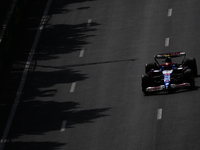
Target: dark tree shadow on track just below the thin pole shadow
(39, 80)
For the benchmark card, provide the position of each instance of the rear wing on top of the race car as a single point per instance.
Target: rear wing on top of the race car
(171, 55)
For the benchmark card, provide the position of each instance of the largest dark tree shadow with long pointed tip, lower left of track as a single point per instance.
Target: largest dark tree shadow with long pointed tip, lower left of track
(39, 117)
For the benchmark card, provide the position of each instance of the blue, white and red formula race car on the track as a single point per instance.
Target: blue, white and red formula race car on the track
(169, 76)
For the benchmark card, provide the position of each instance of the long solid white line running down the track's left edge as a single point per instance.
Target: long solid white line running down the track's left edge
(24, 76)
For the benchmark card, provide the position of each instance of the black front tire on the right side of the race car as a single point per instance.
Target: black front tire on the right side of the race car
(188, 76)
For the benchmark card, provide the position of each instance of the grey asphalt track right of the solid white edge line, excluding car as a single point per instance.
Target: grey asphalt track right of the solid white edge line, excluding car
(85, 92)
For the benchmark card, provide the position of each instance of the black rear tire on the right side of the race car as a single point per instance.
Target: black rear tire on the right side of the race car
(191, 63)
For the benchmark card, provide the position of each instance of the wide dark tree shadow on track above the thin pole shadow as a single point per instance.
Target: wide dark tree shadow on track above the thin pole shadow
(63, 39)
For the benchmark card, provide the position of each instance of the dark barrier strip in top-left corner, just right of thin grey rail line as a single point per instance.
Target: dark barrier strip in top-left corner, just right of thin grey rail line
(10, 34)
